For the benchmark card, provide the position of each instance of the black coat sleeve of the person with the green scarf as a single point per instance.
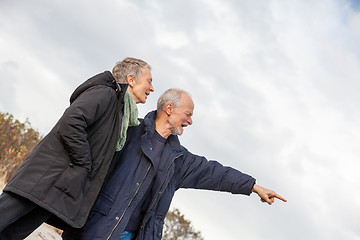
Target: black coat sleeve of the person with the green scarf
(88, 107)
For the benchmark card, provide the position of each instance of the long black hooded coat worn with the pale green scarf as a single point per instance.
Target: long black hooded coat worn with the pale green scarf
(65, 171)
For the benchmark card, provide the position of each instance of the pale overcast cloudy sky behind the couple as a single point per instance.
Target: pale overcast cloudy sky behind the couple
(275, 85)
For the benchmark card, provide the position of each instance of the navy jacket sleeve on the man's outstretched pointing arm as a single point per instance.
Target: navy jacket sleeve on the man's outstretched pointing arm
(199, 173)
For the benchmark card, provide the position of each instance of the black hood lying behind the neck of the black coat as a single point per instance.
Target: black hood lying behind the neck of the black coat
(105, 78)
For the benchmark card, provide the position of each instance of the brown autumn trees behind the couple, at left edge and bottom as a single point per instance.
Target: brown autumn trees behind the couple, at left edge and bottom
(18, 139)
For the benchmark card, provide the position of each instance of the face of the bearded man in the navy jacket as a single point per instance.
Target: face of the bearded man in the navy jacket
(181, 116)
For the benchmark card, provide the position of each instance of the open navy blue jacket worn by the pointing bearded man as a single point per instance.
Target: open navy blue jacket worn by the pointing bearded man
(183, 169)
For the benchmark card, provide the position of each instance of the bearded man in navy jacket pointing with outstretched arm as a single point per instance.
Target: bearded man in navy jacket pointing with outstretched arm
(151, 167)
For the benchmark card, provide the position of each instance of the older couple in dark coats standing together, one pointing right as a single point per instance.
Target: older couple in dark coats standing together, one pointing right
(101, 173)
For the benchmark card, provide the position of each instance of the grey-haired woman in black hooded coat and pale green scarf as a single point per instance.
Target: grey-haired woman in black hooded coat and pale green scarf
(62, 176)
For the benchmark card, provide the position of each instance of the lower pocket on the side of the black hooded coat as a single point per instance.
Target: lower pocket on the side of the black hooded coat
(72, 181)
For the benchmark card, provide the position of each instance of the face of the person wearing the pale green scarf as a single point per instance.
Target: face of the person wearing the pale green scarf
(141, 87)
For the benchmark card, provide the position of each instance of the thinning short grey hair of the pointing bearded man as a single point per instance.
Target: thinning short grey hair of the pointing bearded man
(173, 96)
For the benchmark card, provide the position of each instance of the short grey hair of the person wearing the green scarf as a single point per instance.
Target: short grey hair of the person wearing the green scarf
(128, 66)
